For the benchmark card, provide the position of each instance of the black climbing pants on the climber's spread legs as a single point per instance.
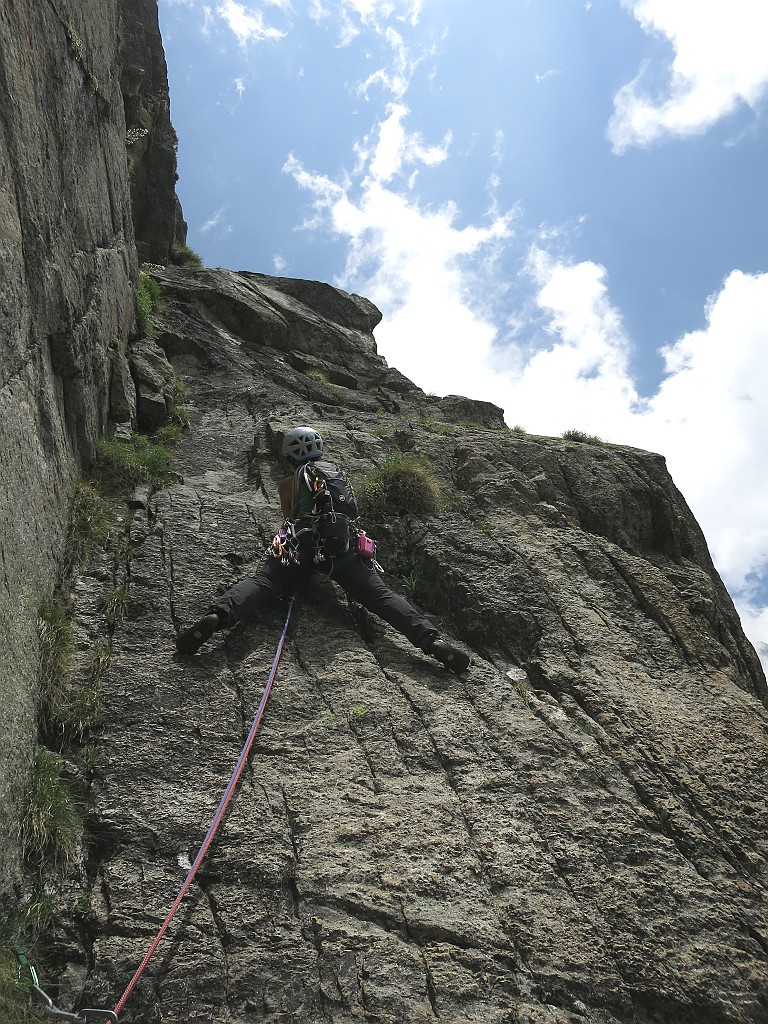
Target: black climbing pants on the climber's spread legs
(357, 578)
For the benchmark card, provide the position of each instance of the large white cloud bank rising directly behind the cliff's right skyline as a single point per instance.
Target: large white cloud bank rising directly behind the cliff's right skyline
(709, 416)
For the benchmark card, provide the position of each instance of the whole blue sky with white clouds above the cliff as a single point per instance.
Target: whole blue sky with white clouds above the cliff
(560, 206)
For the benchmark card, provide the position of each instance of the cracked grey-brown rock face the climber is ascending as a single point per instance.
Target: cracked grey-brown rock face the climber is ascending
(575, 831)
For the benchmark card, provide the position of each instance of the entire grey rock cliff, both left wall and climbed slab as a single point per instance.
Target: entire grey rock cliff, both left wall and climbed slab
(572, 832)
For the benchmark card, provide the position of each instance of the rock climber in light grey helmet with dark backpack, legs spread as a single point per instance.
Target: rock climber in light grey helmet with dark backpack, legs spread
(317, 536)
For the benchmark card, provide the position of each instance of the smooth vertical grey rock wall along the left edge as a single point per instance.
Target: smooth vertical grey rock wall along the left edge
(68, 275)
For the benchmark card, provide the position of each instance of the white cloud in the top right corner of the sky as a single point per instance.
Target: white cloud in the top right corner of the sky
(721, 61)
